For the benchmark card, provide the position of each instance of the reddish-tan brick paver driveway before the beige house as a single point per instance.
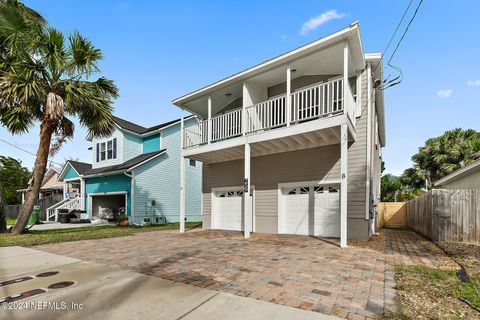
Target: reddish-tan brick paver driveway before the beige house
(298, 271)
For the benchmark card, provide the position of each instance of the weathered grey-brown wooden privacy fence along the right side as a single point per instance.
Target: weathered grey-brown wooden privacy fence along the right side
(446, 215)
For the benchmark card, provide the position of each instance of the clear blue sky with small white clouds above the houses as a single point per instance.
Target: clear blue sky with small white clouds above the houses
(157, 51)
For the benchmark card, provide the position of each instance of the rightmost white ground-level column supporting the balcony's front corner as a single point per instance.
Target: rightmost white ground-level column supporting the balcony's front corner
(344, 186)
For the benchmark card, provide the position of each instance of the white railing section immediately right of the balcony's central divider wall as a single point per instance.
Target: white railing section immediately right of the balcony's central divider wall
(266, 115)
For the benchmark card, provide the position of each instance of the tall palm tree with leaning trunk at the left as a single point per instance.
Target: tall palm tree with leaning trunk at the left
(45, 77)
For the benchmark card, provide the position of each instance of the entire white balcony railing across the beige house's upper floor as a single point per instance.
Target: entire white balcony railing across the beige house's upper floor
(318, 101)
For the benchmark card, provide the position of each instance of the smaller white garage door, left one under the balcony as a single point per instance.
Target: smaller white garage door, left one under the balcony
(228, 210)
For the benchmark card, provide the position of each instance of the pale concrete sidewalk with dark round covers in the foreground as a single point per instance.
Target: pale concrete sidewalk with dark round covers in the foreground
(101, 292)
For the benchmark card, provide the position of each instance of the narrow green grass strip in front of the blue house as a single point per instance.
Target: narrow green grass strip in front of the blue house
(32, 238)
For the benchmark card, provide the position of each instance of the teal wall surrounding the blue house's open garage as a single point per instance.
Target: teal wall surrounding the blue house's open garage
(112, 183)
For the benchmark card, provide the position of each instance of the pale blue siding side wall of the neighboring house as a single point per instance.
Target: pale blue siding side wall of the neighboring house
(159, 179)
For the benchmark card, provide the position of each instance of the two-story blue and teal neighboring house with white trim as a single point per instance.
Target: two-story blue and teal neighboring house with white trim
(137, 169)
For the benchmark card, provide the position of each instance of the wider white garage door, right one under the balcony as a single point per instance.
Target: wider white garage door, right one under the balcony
(311, 210)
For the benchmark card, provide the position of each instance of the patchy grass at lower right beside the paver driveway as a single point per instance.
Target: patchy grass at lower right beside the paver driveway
(437, 293)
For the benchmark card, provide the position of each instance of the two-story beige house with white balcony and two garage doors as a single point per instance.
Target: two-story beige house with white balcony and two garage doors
(292, 145)
